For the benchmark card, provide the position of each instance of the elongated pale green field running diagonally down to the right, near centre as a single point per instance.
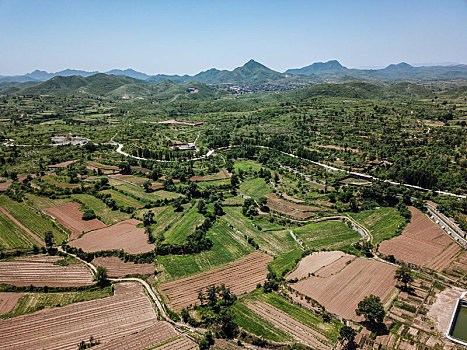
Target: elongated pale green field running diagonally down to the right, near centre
(274, 242)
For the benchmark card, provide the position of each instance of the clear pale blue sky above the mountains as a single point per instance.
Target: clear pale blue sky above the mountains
(189, 36)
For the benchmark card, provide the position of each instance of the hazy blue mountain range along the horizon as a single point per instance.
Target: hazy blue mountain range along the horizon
(254, 73)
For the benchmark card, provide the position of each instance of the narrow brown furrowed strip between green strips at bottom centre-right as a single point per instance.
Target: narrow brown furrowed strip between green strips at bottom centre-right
(283, 321)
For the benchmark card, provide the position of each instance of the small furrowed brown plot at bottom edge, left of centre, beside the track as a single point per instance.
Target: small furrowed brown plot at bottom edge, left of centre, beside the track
(148, 338)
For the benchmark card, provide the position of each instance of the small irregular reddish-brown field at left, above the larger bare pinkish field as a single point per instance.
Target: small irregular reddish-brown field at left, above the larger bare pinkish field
(69, 216)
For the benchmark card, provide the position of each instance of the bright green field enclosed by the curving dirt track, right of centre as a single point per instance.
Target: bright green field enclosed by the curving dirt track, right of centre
(327, 235)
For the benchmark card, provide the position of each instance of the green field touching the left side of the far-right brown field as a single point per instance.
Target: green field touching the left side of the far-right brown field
(382, 222)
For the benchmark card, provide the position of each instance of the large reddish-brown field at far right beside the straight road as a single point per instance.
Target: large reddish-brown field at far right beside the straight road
(420, 243)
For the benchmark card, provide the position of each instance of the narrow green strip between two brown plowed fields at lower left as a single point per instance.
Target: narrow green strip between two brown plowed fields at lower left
(32, 302)
